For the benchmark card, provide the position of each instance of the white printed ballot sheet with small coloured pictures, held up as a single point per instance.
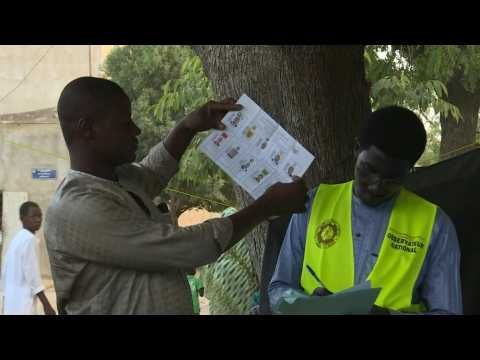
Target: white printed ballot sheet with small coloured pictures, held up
(254, 150)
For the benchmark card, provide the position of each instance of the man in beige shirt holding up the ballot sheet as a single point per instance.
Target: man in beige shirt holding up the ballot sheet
(111, 250)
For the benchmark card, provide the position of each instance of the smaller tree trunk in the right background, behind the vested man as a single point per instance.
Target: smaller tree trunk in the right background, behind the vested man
(457, 136)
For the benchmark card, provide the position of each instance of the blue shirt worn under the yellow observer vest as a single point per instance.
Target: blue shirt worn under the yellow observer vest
(438, 284)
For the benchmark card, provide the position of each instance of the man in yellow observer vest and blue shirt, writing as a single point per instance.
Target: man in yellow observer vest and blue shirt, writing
(373, 229)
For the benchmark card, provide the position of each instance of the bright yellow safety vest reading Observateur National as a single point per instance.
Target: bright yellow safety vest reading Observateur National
(329, 246)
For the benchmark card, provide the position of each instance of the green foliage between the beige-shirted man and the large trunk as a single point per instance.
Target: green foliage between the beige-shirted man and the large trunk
(165, 83)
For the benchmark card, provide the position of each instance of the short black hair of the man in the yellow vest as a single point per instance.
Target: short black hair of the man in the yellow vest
(396, 131)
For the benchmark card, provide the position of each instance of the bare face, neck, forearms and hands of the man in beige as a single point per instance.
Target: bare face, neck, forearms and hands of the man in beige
(103, 141)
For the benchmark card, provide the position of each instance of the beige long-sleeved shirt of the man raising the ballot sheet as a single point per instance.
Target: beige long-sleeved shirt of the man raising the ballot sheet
(110, 256)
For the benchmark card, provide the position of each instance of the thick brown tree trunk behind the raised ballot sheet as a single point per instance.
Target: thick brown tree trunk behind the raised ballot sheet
(317, 93)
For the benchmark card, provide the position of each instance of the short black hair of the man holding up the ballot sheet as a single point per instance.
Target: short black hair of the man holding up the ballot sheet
(85, 96)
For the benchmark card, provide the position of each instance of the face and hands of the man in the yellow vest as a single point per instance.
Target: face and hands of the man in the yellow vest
(378, 178)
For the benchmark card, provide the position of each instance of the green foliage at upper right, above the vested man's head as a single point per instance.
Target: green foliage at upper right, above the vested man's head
(414, 76)
